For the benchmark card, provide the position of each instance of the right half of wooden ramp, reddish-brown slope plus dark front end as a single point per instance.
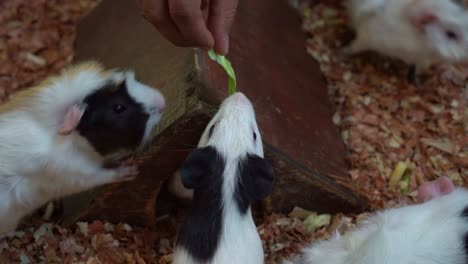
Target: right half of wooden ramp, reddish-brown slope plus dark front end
(294, 112)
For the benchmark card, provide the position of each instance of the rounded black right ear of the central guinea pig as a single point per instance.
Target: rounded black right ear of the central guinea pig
(257, 177)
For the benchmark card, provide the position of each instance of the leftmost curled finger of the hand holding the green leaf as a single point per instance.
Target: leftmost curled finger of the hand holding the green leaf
(157, 13)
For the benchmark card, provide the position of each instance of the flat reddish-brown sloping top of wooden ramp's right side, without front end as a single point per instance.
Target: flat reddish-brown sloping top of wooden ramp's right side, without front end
(285, 84)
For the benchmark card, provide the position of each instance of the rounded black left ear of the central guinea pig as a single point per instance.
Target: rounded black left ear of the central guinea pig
(197, 168)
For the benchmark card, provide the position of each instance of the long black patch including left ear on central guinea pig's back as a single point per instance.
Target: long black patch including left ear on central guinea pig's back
(201, 231)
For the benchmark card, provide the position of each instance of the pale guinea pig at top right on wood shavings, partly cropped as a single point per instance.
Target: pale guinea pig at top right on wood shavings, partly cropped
(420, 32)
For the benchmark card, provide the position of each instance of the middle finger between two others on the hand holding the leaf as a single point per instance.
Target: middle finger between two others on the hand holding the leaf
(188, 17)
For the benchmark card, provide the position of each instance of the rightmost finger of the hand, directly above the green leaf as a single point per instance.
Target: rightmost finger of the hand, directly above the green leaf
(222, 14)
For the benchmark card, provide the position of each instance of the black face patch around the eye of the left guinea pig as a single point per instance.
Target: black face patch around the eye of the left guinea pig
(113, 120)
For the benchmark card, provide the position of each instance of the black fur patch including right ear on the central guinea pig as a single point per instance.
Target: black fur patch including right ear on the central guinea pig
(254, 181)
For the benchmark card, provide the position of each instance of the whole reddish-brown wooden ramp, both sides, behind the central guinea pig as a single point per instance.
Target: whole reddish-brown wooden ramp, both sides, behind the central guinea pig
(273, 70)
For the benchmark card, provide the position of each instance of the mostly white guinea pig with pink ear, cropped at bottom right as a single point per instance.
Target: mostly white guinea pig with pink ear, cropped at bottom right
(433, 232)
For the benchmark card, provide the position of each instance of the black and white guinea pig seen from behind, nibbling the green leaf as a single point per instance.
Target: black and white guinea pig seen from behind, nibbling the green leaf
(227, 172)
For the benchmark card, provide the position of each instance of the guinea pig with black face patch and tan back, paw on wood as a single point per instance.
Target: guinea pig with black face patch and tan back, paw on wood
(56, 137)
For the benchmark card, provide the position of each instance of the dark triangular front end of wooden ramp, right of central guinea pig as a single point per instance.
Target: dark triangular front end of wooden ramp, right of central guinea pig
(297, 185)
